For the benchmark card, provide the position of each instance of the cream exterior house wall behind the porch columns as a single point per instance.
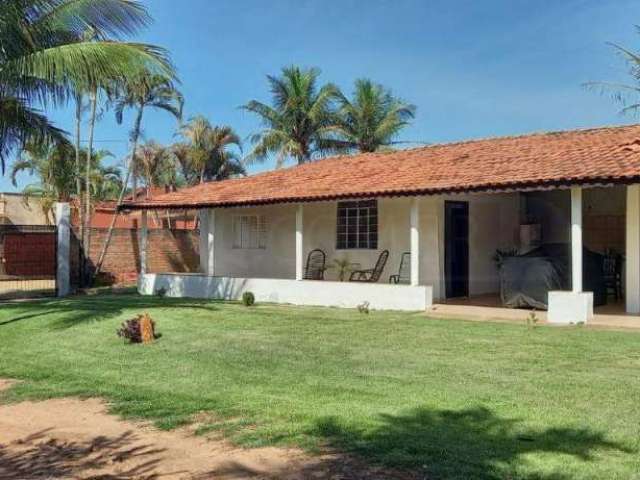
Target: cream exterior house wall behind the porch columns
(493, 224)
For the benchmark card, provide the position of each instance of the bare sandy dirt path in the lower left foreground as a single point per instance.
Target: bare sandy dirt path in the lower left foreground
(73, 438)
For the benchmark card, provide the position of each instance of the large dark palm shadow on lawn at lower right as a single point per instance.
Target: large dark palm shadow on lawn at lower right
(470, 443)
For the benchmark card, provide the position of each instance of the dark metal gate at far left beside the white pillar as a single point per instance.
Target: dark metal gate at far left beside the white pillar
(27, 261)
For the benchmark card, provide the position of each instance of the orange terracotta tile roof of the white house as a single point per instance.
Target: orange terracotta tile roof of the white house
(600, 155)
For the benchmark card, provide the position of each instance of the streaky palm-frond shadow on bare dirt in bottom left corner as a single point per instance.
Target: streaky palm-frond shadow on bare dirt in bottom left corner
(39, 456)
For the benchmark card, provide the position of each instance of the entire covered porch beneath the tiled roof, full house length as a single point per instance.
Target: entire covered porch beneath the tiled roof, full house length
(272, 261)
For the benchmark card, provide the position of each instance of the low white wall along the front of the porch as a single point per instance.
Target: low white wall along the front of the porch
(329, 294)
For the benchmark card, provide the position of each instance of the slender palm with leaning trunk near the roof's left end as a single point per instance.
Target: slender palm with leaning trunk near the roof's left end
(139, 93)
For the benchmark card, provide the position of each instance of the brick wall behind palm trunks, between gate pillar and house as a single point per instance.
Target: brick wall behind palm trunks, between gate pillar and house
(167, 251)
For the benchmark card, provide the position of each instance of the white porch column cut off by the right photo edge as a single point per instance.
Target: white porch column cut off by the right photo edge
(632, 262)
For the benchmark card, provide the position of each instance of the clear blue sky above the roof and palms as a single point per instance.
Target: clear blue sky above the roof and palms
(474, 68)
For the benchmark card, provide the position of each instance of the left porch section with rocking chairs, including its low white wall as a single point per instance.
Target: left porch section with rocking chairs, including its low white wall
(265, 250)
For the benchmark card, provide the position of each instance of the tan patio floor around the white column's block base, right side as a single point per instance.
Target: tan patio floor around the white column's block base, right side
(488, 308)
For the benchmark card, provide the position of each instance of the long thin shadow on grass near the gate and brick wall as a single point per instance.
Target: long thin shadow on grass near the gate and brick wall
(74, 310)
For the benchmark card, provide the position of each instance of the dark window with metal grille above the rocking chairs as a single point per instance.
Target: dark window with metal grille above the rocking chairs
(357, 225)
